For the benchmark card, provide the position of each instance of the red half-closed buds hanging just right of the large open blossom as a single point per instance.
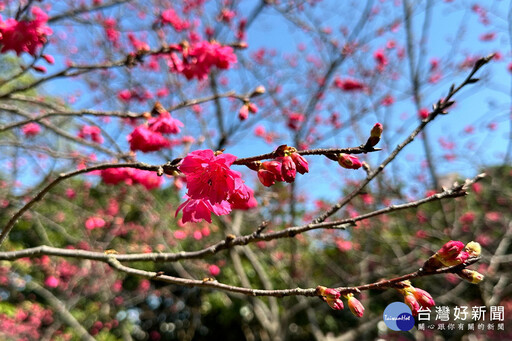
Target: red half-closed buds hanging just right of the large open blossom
(283, 168)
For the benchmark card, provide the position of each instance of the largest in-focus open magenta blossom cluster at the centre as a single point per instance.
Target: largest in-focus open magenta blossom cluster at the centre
(212, 187)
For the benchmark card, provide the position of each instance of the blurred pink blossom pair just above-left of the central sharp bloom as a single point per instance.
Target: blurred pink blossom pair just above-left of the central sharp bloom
(149, 137)
